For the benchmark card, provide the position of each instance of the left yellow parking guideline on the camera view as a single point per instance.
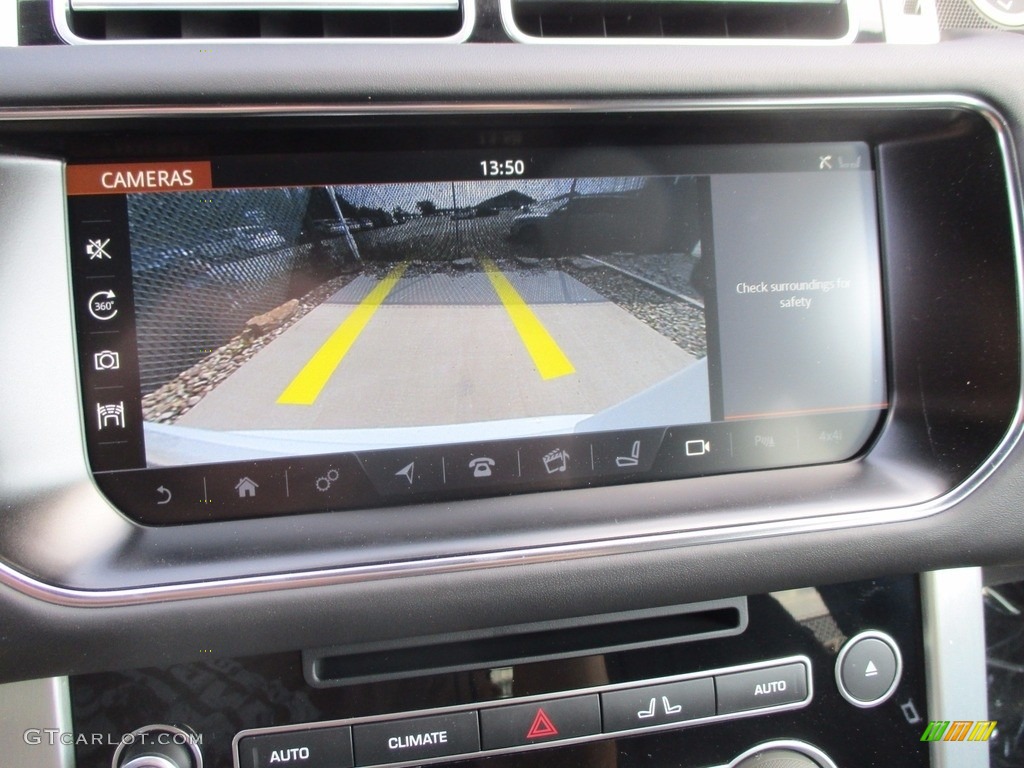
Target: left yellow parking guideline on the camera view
(310, 382)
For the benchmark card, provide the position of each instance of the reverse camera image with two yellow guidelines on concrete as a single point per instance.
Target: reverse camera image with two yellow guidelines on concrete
(296, 321)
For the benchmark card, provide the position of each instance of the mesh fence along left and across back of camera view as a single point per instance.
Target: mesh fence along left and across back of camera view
(206, 263)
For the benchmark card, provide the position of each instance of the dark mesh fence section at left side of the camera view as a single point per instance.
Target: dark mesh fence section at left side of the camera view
(203, 264)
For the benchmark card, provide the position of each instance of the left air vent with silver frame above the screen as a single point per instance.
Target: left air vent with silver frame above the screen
(274, 20)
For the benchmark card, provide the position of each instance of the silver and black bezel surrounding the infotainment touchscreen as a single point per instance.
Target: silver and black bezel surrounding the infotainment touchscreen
(916, 468)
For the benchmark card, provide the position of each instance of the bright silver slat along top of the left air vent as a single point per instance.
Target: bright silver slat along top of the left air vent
(283, 6)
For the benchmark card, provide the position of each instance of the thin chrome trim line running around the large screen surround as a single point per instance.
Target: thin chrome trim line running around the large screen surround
(626, 544)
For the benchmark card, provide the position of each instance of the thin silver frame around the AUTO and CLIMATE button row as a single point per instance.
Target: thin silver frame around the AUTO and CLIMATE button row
(554, 697)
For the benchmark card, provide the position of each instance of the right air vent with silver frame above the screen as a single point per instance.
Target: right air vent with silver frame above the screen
(755, 21)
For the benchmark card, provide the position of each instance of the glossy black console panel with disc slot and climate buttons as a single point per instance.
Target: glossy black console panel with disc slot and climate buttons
(799, 675)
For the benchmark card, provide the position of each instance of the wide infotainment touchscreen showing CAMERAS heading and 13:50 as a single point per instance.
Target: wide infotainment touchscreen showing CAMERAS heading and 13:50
(271, 334)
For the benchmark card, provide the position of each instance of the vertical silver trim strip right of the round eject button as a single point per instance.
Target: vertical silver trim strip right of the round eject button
(955, 659)
